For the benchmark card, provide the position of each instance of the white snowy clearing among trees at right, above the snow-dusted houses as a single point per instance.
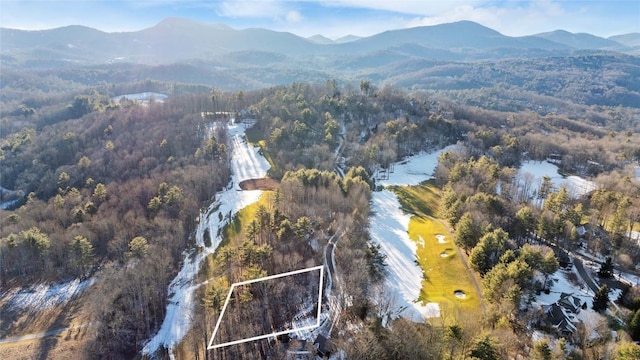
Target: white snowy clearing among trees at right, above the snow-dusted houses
(576, 186)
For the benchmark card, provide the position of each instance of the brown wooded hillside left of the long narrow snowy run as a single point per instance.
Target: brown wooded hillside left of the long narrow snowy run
(115, 189)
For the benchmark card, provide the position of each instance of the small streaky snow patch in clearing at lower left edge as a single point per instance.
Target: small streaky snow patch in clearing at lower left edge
(41, 297)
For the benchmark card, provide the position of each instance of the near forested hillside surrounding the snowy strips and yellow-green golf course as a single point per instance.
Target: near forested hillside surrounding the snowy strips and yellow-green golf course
(112, 190)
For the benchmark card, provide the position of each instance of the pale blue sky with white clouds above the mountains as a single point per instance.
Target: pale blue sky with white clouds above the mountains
(331, 18)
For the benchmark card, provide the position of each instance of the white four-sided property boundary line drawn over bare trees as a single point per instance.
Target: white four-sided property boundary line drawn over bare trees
(226, 302)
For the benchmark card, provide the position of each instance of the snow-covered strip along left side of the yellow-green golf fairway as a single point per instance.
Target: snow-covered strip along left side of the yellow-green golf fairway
(389, 228)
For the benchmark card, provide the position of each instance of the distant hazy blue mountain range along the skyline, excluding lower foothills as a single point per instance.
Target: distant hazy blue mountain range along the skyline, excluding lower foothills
(178, 40)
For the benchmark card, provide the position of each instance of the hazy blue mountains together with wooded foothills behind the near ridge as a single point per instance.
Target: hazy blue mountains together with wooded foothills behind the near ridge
(462, 59)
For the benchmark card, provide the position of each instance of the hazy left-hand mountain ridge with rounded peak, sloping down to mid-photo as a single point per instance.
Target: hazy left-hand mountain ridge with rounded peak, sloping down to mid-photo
(169, 41)
